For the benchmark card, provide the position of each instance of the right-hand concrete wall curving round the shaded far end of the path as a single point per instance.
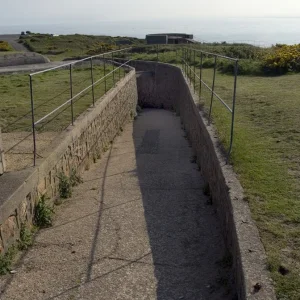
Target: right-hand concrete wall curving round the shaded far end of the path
(162, 85)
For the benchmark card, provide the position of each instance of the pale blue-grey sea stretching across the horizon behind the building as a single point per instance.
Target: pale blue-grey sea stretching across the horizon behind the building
(257, 31)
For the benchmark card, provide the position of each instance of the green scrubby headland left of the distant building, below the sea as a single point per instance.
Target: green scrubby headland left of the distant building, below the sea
(77, 45)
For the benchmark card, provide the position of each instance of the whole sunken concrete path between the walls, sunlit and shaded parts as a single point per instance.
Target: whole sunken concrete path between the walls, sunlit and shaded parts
(139, 227)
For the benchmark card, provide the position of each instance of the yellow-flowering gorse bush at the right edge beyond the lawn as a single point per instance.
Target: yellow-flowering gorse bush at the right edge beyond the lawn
(284, 58)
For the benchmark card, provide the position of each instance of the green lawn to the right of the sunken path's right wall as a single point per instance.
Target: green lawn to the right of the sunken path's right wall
(266, 158)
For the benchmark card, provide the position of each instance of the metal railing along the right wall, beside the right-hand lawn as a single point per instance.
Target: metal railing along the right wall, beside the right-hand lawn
(189, 68)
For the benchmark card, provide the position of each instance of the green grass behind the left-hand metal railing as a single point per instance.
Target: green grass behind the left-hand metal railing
(50, 90)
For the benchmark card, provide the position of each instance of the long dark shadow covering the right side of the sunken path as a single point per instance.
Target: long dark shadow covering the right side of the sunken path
(185, 238)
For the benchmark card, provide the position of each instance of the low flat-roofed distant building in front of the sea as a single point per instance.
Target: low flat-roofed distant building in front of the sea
(170, 38)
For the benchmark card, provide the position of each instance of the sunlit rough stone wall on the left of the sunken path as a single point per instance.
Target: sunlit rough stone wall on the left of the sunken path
(75, 148)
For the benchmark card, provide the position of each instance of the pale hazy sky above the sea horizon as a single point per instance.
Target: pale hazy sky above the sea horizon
(58, 11)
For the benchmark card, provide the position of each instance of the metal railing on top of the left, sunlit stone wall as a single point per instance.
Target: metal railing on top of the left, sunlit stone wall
(105, 59)
